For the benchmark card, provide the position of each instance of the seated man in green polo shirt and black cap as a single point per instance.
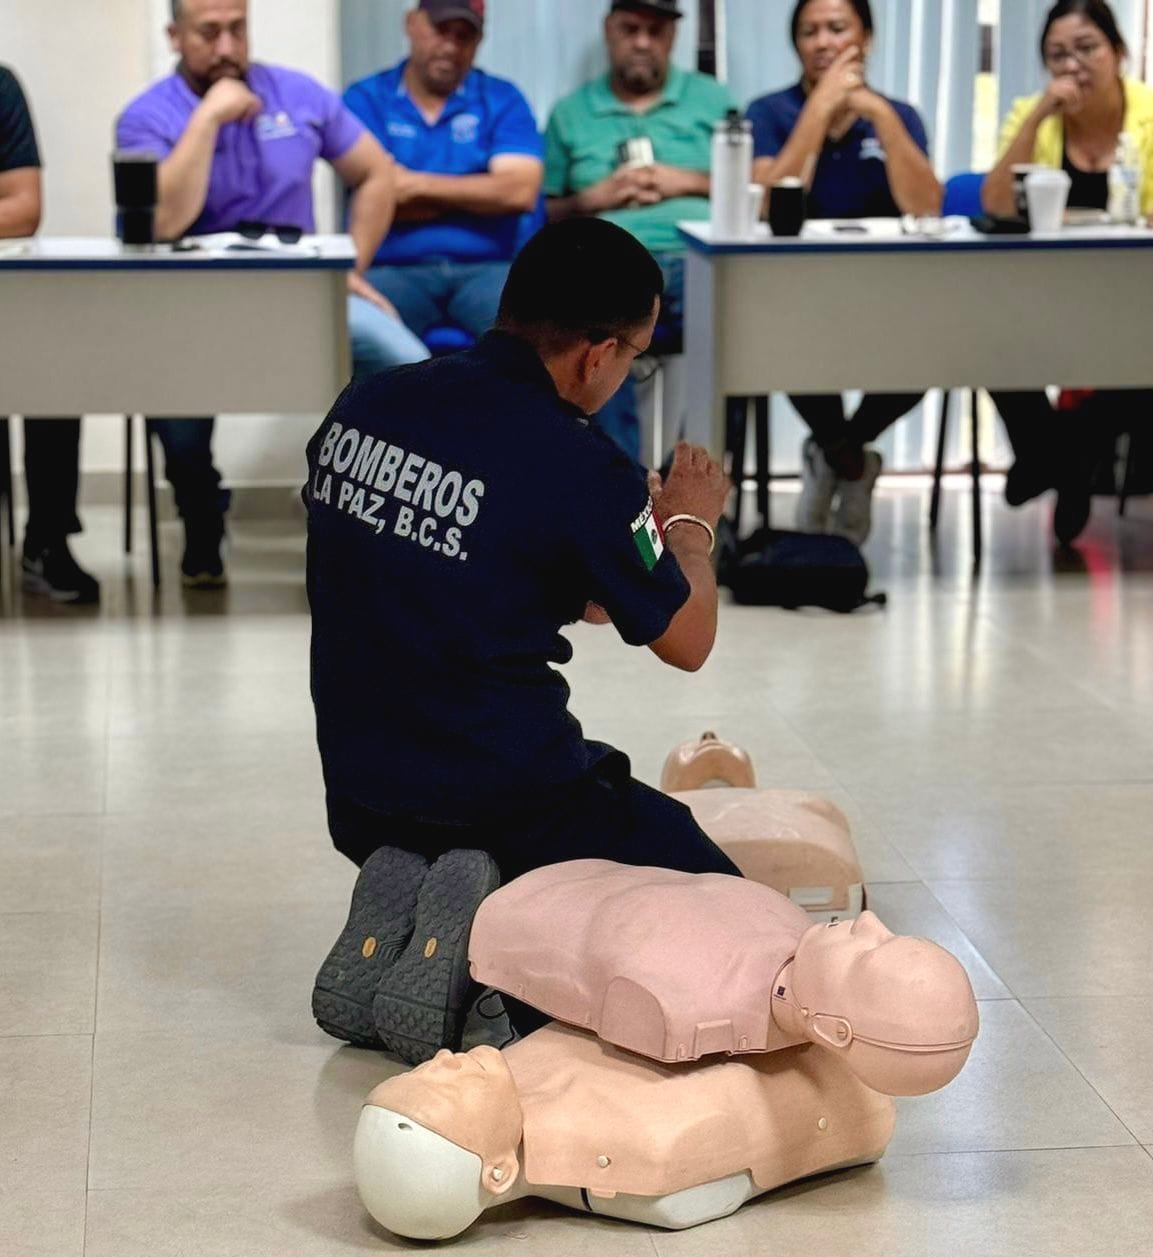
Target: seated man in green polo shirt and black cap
(634, 148)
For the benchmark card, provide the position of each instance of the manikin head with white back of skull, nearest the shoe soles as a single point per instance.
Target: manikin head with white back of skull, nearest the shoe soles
(456, 1123)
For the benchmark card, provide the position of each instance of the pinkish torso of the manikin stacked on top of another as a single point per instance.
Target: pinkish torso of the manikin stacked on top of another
(589, 943)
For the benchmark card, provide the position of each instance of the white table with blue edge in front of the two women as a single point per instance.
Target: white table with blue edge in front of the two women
(905, 315)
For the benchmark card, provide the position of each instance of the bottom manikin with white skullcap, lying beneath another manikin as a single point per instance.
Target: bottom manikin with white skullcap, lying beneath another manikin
(564, 1117)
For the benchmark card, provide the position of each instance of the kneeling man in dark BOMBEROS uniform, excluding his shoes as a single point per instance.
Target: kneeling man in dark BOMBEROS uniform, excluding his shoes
(461, 515)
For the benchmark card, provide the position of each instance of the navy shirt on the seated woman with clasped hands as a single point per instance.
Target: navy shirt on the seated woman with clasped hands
(852, 180)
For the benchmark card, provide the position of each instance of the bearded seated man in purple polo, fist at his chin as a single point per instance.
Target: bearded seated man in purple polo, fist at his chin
(238, 143)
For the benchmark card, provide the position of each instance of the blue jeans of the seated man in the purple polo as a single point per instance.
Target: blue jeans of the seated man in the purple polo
(379, 341)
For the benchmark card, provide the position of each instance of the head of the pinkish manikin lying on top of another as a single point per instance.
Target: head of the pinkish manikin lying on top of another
(901, 1010)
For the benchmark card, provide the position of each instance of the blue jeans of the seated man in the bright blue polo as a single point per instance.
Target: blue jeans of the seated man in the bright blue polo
(434, 294)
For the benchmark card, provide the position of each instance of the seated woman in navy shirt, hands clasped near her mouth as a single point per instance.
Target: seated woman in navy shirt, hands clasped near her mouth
(861, 155)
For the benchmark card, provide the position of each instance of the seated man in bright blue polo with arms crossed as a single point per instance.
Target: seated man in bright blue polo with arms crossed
(470, 168)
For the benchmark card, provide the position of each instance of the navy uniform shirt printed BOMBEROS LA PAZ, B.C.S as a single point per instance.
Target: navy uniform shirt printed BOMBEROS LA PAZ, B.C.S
(460, 516)
